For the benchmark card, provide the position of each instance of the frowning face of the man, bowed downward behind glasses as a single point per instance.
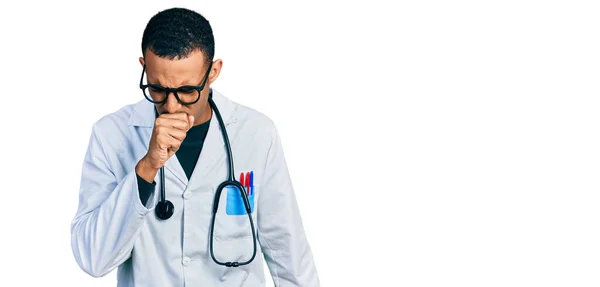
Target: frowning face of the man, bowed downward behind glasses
(180, 72)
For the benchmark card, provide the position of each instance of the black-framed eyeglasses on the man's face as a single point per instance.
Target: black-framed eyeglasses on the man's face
(186, 95)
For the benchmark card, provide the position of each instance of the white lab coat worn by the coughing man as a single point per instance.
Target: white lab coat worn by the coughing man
(113, 229)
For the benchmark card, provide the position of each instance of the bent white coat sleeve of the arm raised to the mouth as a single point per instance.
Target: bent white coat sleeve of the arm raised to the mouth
(110, 213)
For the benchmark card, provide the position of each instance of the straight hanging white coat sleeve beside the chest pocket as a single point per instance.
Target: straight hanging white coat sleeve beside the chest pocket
(280, 230)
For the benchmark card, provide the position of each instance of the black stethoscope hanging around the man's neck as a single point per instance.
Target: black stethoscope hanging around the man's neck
(164, 208)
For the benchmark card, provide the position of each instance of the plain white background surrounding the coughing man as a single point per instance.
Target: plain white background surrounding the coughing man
(434, 143)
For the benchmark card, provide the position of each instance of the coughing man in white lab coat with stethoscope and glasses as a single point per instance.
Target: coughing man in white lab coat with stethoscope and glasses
(123, 220)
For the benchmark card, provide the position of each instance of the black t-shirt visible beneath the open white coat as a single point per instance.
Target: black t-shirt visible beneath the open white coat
(187, 155)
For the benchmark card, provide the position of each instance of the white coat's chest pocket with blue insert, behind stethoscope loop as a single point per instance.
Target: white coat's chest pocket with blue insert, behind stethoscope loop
(232, 220)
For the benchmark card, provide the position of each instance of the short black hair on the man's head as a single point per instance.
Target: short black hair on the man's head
(177, 32)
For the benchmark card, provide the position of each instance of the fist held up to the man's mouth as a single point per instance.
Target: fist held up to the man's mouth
(169, 132)
